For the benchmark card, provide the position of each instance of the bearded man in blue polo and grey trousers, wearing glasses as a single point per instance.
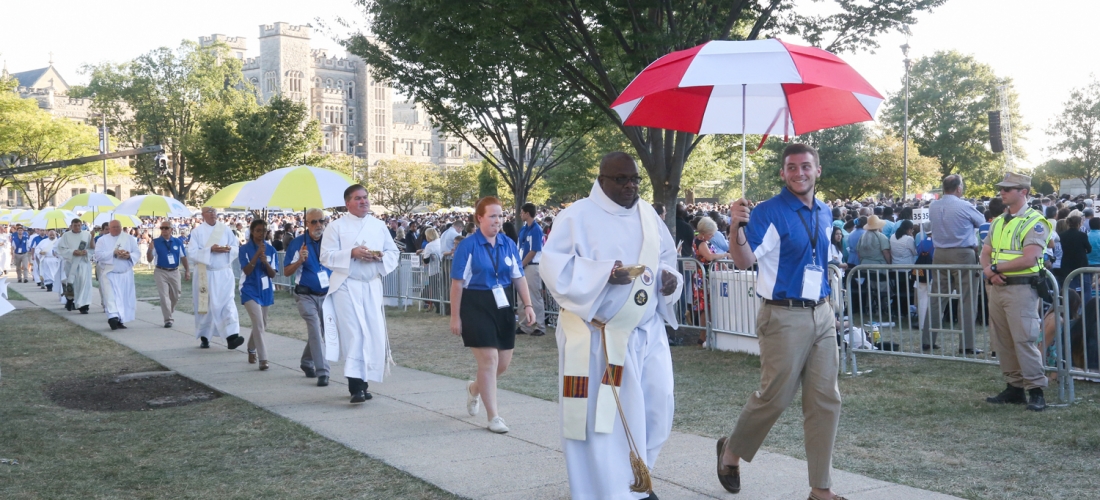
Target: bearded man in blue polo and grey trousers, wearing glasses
(303, 258)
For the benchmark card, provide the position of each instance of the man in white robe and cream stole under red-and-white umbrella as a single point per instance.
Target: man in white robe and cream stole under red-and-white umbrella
(588, 263)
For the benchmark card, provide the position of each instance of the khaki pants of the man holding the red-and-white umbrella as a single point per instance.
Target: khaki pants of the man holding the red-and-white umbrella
(798, 348)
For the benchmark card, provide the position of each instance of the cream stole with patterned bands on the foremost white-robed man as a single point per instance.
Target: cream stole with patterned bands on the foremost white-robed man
(617, 334)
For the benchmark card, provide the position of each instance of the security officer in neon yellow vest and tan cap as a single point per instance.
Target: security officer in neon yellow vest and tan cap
(1011, 261)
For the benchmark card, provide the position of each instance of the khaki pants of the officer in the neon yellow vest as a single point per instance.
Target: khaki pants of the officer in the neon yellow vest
(1014, 331)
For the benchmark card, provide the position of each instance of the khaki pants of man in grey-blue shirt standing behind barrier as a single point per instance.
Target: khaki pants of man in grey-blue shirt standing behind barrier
(945, 282)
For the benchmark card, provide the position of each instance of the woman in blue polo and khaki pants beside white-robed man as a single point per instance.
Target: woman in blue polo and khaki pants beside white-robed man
(259, 264)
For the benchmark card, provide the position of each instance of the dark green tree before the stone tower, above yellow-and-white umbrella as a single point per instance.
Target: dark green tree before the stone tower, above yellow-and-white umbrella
(252, 141)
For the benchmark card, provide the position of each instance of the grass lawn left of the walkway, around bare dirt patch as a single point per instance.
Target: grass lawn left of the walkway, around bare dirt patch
(222, 449)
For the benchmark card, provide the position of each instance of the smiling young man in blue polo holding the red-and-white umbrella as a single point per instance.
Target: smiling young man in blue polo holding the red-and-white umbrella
(788, 238)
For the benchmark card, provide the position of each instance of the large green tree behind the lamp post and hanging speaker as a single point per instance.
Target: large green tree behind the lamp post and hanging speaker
(951, 95)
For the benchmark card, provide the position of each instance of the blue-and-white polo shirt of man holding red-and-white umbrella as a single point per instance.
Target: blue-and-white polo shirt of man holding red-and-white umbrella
(779, 235)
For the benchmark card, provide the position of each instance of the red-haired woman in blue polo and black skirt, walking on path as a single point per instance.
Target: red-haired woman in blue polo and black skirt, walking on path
(485, 274)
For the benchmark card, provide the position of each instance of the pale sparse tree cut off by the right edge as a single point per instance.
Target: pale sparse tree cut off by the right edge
(1077, 131)
